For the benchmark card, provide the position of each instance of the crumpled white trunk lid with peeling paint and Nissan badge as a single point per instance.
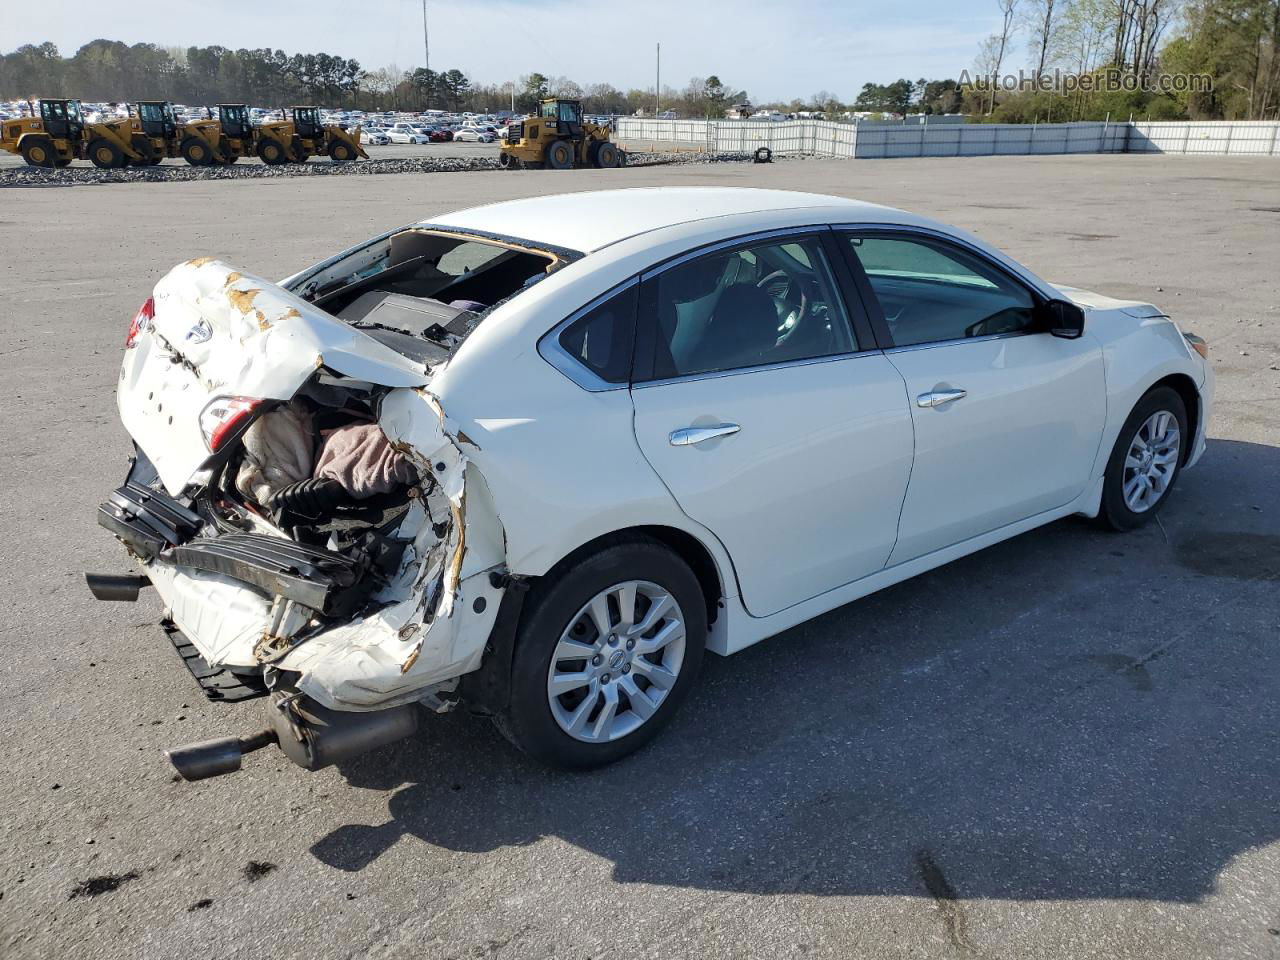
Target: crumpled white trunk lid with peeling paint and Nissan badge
(218, 332)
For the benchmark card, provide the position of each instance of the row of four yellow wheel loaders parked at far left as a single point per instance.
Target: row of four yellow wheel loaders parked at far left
(152, 132)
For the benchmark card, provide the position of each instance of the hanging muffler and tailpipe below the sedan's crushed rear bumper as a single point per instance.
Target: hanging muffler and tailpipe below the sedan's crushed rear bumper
(309, 734)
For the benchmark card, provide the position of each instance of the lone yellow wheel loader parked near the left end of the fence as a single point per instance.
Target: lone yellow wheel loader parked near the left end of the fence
(559, 140)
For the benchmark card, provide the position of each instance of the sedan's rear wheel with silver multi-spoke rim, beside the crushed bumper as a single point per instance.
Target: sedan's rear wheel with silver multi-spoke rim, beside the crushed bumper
(593, 682)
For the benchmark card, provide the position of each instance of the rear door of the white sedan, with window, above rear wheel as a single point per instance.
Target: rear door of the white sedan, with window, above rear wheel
(769, 420)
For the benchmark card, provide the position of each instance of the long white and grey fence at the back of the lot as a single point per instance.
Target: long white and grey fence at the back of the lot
(848, 140)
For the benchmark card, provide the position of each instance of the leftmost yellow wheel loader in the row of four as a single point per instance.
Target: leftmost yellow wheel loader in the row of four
(60, 135)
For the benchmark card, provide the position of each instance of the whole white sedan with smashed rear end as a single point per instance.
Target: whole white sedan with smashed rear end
(540, 456)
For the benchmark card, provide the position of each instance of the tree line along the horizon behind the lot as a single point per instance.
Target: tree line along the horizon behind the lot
(1236, 44)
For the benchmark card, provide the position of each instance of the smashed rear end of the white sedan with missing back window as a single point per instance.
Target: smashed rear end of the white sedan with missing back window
(299, 500)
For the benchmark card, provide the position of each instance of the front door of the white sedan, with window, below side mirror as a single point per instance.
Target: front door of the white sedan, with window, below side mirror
(1008, 417)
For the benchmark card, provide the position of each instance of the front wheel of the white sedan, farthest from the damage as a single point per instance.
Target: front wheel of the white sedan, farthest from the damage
(1146, 460)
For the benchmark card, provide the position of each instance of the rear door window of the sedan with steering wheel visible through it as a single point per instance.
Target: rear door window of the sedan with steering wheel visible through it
(770, 303)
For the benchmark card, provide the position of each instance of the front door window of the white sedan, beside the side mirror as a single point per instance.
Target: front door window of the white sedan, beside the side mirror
(930, 291)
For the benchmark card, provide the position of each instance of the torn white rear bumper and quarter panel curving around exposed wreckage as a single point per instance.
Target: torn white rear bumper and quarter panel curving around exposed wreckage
(427, 627)
